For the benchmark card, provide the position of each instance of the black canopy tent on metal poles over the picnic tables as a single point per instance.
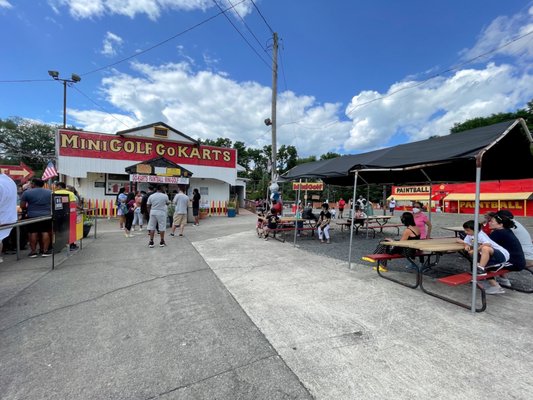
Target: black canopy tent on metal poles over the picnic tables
(495, 152)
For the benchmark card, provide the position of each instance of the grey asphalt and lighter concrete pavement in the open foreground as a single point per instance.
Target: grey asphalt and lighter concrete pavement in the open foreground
(220, 314)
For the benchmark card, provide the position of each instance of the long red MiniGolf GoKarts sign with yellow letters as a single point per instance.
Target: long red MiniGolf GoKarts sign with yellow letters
(95, 145)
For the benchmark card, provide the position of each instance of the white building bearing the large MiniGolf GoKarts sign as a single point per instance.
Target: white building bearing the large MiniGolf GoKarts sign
(95, 163)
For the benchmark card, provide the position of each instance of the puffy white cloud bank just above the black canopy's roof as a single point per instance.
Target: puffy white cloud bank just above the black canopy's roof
(432, 108)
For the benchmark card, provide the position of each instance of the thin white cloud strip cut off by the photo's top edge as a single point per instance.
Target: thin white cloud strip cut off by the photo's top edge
(81, 9)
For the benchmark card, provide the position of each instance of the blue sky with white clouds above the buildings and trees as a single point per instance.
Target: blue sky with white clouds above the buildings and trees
(353, 76)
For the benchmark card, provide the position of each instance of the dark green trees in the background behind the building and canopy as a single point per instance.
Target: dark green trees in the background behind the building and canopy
(33, 143)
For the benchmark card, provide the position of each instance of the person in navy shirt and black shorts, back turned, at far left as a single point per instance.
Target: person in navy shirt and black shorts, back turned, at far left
(38, 203)
